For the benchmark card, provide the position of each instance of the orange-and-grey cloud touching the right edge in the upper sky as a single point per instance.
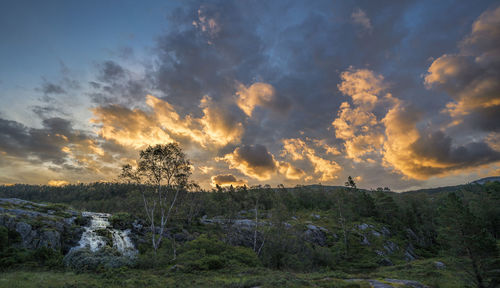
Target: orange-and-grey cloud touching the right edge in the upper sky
(471, 76)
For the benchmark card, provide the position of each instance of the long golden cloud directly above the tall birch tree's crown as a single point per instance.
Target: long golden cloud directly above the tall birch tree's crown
(137, 128)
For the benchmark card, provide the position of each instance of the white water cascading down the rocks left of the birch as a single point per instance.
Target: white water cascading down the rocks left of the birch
(90, 239)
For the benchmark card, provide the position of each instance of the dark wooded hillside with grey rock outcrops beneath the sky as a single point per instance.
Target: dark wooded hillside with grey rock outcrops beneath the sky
(303, 236)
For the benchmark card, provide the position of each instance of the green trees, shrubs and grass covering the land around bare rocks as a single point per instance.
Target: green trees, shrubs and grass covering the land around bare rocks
(459, 229)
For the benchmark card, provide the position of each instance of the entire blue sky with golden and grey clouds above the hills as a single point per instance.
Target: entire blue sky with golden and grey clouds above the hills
(398, 94)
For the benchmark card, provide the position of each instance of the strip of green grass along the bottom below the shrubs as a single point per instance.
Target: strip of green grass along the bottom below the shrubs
(423, 271)
